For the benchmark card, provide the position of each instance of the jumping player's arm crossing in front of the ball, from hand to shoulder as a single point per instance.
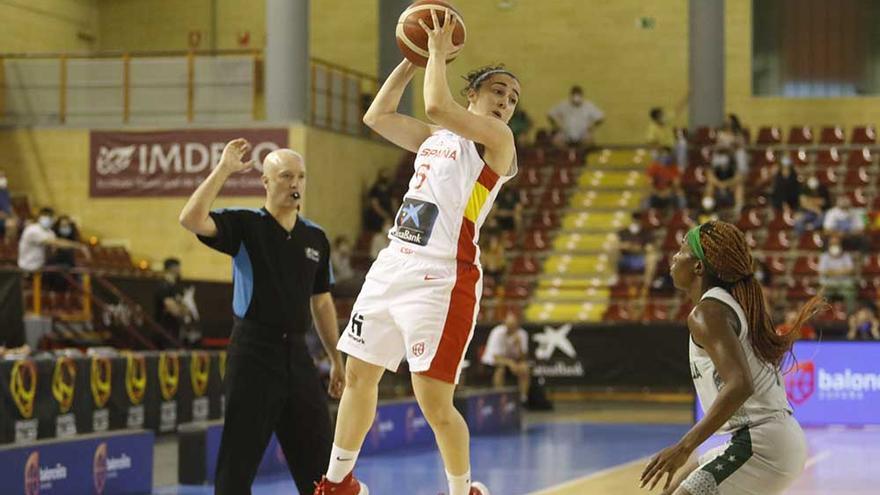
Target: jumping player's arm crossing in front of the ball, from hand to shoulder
(442, 108)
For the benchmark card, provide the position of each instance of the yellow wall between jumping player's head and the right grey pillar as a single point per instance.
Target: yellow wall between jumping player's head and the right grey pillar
(552, 45)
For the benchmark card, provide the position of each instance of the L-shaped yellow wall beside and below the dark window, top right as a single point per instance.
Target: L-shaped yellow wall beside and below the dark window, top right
(758, 111)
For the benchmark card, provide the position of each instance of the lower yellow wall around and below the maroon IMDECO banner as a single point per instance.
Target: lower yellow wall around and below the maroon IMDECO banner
(50, 164)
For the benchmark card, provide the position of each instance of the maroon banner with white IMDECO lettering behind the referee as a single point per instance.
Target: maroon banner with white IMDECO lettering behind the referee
(173, 163)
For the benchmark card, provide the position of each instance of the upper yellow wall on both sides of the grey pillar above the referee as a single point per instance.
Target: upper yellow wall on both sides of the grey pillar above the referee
(165, 25)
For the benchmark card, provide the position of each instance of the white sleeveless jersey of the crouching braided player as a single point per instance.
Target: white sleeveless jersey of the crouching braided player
(769, 399)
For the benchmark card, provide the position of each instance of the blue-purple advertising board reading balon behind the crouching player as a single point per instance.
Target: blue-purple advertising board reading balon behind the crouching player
(833, 383)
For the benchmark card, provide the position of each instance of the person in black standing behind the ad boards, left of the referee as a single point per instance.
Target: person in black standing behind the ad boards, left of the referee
(172, 313)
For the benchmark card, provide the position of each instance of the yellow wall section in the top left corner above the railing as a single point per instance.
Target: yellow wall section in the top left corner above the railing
(48, 25)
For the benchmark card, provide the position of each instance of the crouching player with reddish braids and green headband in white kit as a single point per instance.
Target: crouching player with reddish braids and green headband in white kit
(735, 359)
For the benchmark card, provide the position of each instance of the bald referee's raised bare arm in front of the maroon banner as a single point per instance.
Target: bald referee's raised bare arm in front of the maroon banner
(195, 215)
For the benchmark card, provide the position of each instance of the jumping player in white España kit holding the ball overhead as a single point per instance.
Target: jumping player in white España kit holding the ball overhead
(421, 296)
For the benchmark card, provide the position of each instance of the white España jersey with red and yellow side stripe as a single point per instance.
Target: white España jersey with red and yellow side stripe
(449, 197)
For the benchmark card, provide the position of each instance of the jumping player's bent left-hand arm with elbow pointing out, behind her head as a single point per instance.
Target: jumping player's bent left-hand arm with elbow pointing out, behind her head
(382, 116)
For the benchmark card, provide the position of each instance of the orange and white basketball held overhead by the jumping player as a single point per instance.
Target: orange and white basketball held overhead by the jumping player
(413, 40)
